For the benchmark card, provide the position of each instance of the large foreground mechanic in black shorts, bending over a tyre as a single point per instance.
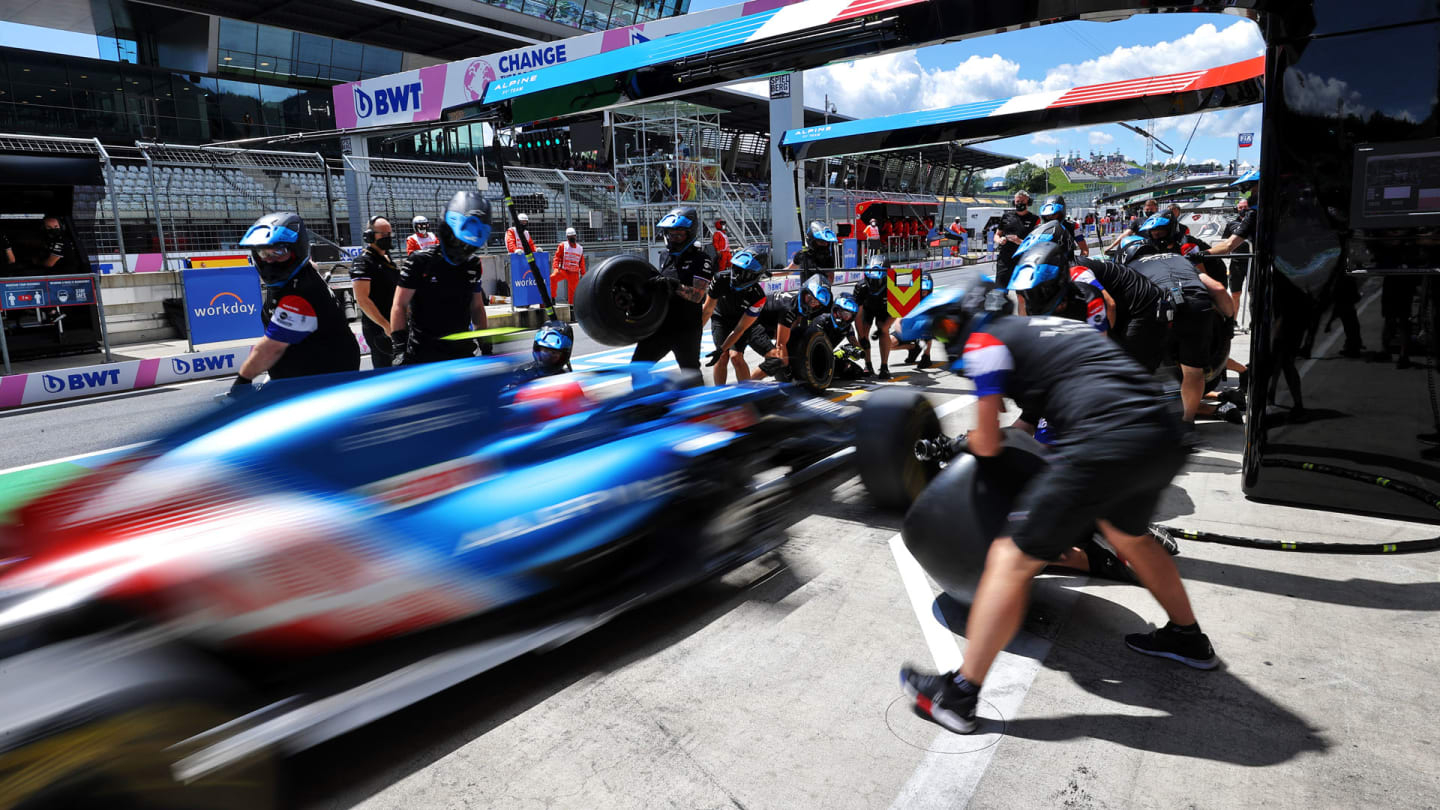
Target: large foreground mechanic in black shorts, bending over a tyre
(1118, 448)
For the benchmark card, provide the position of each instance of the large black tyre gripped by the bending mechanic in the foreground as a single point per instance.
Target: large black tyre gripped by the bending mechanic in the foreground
(950, 528)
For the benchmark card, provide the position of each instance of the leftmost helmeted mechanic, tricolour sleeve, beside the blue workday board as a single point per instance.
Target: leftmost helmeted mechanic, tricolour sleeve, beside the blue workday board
(306, 332)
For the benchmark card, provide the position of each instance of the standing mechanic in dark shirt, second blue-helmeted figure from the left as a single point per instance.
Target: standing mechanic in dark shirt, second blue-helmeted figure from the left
(438, 290)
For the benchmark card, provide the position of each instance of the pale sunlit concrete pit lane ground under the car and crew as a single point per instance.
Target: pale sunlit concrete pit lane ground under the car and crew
(777, 687)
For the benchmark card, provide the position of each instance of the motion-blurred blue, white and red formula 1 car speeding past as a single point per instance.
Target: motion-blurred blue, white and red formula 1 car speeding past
(333, 550)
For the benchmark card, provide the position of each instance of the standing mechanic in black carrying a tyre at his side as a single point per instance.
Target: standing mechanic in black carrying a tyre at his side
(686, 272)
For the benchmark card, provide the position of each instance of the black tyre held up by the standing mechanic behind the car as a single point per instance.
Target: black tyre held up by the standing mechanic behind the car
(621, 302)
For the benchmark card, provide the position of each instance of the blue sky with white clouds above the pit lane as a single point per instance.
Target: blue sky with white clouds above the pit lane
(1055, 57)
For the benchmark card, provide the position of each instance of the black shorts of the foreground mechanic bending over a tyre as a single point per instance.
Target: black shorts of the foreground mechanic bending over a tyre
(1061, 507)
